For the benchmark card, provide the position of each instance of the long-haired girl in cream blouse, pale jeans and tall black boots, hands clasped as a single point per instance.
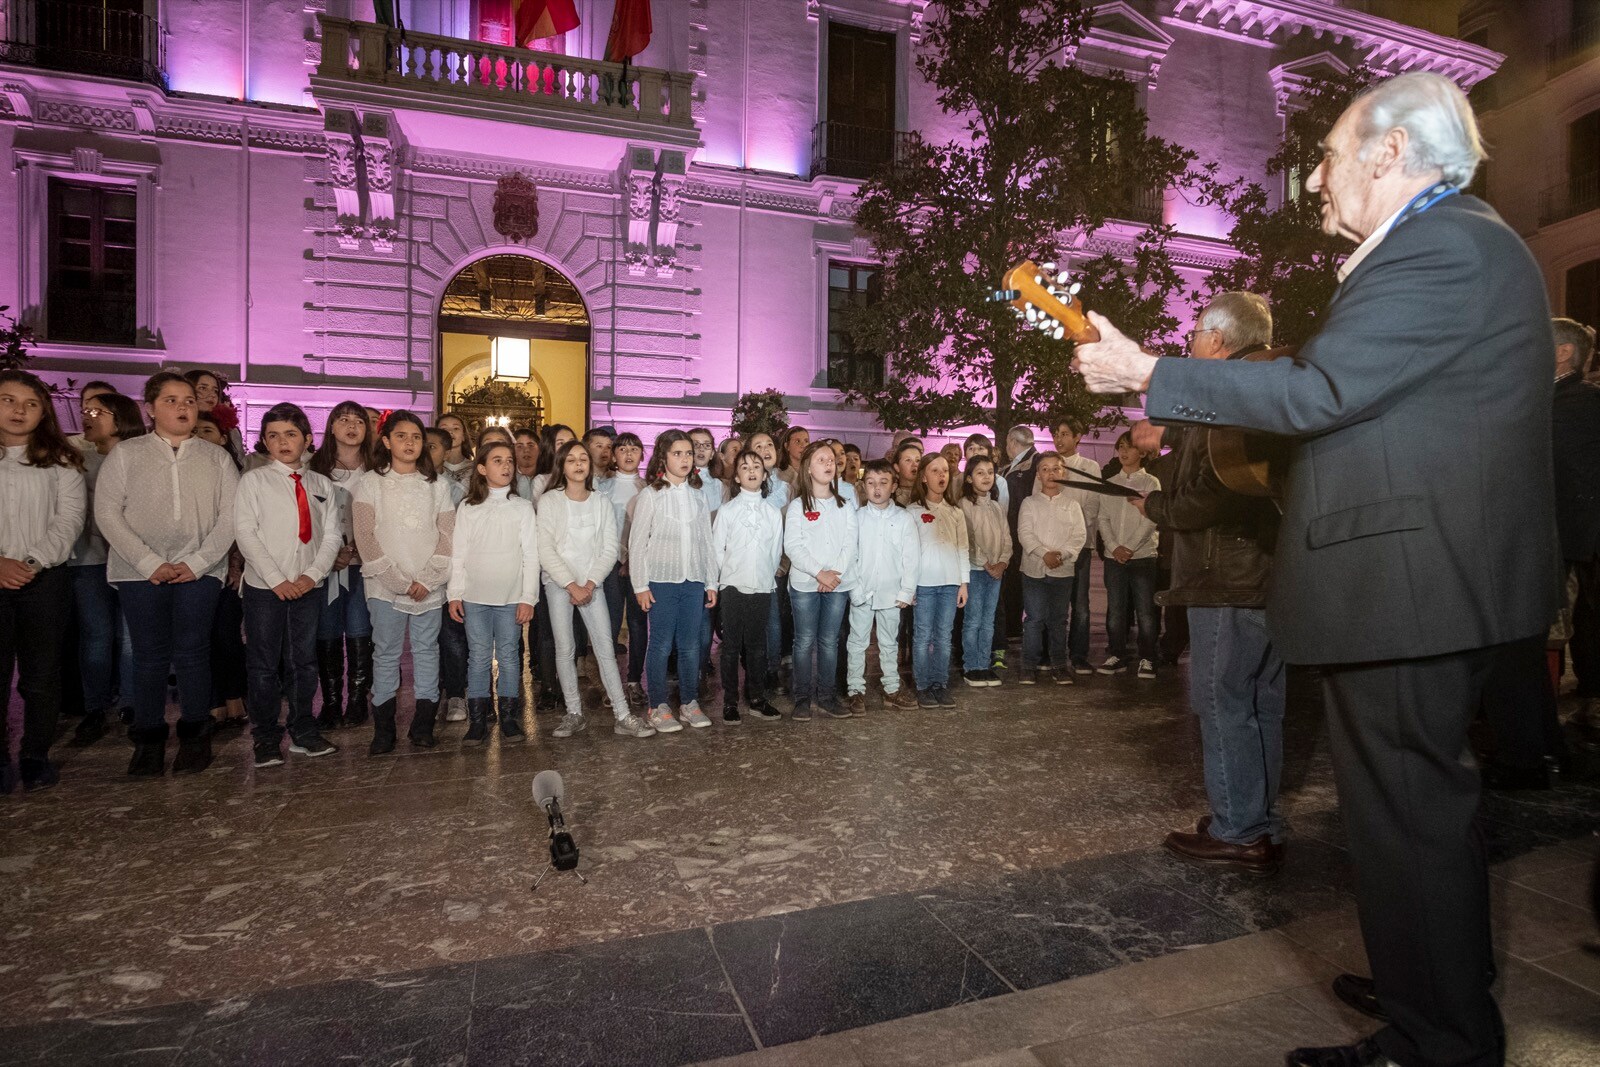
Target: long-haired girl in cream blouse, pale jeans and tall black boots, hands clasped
(404, 521)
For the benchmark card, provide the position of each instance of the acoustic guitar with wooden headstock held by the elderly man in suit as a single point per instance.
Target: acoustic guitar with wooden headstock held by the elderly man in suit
(1250, 465)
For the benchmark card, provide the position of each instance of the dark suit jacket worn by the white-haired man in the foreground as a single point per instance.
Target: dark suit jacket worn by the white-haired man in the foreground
(1406, 529)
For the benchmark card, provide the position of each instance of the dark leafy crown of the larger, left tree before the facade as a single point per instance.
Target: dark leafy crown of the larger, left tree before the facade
(1047, 150)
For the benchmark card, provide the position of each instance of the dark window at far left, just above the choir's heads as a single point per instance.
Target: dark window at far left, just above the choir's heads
(92, 263)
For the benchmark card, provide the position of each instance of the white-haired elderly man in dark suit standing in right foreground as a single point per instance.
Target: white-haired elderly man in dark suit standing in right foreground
(1398, 569)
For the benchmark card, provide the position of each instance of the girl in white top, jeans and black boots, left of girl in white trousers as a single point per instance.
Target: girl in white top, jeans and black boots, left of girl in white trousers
(494, 588)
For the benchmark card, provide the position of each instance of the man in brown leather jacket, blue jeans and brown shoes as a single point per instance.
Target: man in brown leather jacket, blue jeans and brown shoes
(1222, 559)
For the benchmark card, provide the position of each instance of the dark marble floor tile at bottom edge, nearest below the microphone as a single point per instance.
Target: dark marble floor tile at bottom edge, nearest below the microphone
(657, 1001)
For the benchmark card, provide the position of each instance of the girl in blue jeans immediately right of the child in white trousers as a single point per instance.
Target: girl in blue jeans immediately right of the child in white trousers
(942, 578)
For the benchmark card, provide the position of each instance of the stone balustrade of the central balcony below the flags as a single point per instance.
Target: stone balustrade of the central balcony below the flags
(476, 71)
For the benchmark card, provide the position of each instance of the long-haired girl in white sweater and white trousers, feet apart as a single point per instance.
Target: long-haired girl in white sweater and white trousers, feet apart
(578, 546)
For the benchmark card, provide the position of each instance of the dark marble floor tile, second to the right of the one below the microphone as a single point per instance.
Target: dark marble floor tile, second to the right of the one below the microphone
(1050, 925)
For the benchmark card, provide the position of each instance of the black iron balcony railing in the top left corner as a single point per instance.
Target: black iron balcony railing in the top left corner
(86, 39)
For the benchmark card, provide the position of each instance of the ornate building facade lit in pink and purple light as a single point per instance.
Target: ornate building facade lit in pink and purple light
(294, 196)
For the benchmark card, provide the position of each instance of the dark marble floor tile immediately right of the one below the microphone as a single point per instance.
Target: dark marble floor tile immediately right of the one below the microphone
(849, 965)
